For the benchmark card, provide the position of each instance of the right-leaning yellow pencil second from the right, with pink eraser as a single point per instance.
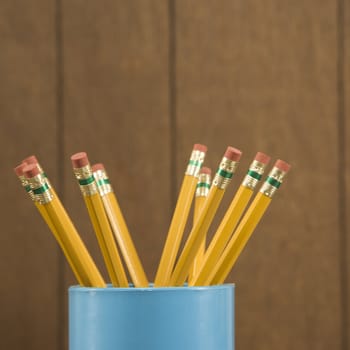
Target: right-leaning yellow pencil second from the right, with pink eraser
(231, 218)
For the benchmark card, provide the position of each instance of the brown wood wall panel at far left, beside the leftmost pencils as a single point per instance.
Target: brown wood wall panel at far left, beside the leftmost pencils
(29, 301)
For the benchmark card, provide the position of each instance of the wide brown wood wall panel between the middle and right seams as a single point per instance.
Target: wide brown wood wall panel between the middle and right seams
(262, 76)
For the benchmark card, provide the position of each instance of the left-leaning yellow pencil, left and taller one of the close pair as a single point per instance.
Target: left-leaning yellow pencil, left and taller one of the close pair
(83, 173)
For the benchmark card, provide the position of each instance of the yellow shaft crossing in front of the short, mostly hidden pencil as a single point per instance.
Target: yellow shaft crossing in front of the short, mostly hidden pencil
(196, 236)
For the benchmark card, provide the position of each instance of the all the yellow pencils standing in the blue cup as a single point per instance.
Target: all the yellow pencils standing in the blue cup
(198, 264)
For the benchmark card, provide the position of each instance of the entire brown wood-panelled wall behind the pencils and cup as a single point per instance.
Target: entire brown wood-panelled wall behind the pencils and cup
(136, 84)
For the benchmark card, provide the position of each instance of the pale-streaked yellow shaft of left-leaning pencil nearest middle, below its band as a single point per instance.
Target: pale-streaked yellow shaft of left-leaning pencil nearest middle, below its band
(124, 240)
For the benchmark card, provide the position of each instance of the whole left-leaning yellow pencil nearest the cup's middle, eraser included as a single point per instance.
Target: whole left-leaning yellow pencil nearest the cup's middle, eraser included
(119, 227)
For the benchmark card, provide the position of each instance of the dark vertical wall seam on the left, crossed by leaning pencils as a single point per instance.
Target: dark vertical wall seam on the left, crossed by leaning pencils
(60, 166)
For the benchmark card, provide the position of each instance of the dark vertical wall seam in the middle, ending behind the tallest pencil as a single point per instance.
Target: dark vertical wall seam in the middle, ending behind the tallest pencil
(172, 100)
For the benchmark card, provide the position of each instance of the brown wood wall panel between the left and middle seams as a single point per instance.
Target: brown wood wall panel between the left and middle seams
(116, 109)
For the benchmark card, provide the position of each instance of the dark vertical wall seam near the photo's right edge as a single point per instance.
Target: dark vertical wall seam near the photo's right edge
(341, 175)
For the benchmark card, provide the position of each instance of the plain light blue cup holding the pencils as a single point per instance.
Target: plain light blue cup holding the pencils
(175, 318)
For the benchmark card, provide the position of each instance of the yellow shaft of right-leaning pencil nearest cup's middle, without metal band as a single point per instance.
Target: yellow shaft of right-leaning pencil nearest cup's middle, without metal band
(176, 230)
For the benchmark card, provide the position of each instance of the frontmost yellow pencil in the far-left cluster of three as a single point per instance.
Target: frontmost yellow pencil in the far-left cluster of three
(64, 231)
